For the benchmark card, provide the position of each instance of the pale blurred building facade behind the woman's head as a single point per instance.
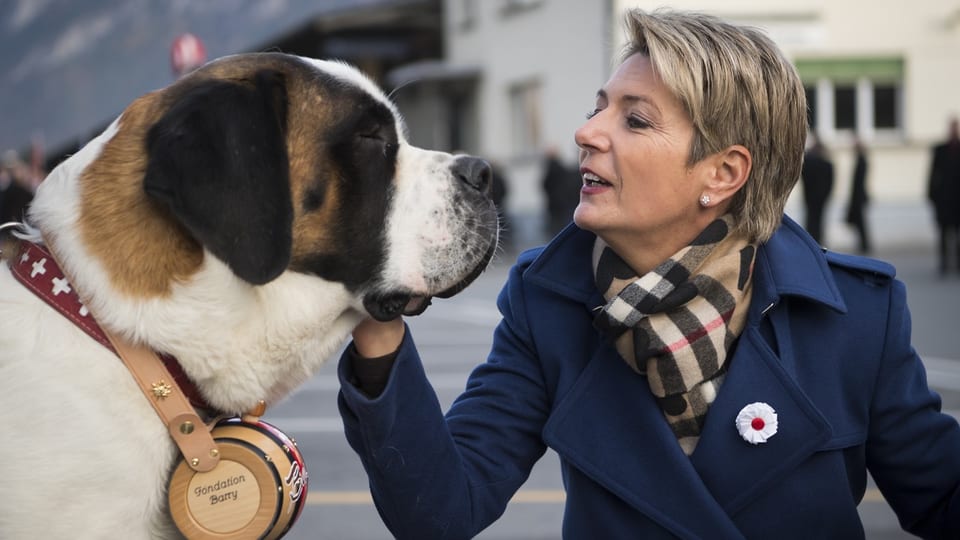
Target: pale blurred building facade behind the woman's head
(519, 75)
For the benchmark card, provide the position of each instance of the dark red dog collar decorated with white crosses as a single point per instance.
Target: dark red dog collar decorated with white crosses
(38, 271)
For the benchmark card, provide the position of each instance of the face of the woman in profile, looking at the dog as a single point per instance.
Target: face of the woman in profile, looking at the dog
(638, 191)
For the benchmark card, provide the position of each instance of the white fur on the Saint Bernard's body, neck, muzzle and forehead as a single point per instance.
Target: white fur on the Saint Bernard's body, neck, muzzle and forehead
(85, 455)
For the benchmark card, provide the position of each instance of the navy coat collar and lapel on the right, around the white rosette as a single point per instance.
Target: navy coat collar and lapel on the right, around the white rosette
(735, 471)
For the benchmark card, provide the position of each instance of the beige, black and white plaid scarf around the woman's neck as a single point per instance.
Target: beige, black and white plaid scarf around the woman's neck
(677, 323)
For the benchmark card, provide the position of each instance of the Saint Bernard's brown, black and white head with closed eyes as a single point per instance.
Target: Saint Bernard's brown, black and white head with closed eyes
(275, 163)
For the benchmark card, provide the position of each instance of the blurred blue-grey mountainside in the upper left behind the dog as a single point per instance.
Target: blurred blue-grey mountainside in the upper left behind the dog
(67, 68)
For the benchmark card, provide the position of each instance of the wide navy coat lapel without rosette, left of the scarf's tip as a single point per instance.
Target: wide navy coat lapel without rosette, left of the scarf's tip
(609, 427)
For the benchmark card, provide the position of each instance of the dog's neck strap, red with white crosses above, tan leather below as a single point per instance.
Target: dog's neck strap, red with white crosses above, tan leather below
(37, 269)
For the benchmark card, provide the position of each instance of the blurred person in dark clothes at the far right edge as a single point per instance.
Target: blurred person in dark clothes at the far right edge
(943, 190)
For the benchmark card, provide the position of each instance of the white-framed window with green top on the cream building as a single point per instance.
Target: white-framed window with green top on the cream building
(854, 95)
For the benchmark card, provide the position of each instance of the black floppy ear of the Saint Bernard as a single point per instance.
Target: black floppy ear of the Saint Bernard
(218, 159)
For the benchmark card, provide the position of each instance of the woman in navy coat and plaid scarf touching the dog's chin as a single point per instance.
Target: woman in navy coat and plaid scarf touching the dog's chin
(741, 387)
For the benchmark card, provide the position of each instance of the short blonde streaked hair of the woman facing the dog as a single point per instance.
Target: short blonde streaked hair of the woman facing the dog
(737, 88)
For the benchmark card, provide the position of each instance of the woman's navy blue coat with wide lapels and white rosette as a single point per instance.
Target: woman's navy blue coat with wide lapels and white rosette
(827, 345)
